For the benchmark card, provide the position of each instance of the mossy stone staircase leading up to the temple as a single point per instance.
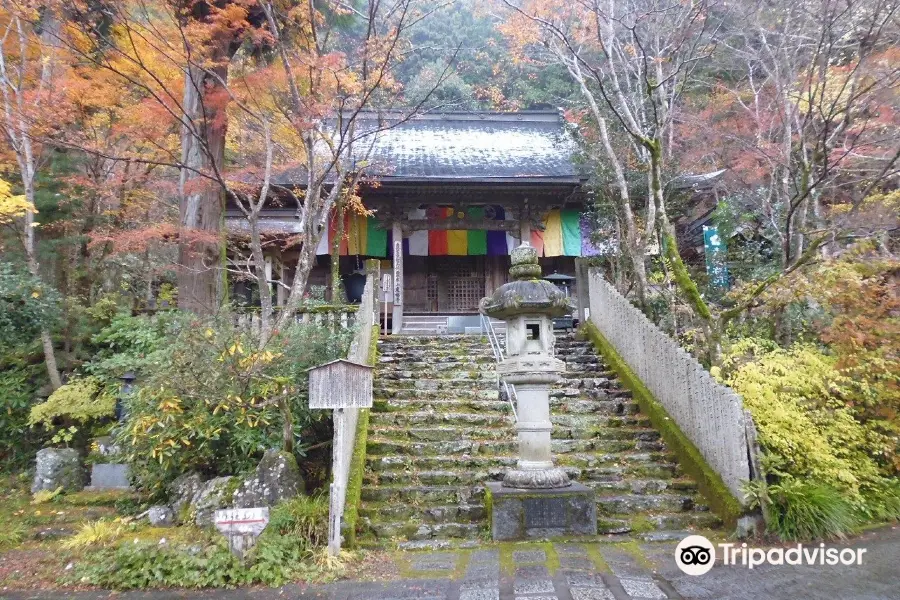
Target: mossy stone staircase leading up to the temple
(439, 429)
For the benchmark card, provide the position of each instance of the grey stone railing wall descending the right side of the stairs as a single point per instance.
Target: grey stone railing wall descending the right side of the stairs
(708, 413)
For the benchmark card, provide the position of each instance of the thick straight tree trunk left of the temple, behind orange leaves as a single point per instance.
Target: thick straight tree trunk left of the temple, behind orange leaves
(200, 279)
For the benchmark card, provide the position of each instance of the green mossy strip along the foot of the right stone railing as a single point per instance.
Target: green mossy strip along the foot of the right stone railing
(709, 483)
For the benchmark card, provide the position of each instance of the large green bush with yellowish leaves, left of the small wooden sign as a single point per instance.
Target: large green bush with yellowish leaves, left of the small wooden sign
(209, 400)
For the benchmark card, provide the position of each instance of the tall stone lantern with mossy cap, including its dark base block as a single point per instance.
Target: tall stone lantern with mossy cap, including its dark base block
(535, 499)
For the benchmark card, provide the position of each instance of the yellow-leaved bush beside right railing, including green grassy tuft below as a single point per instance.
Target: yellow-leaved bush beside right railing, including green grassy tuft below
(802, 406)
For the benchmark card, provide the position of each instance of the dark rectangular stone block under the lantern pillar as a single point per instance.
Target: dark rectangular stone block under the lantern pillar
(535, 514)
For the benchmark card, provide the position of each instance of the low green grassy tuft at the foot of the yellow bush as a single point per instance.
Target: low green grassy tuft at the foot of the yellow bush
(799, 510)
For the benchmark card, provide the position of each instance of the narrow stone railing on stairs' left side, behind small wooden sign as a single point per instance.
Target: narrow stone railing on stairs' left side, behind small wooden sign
(346, 421)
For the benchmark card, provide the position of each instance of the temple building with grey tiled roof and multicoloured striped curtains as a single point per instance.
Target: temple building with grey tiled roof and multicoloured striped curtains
(454, 193)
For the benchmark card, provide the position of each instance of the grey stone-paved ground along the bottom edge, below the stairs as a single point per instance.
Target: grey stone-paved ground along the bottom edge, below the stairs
(589, 571)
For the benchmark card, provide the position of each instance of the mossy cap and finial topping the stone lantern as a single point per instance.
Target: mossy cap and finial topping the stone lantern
(527, 293)
